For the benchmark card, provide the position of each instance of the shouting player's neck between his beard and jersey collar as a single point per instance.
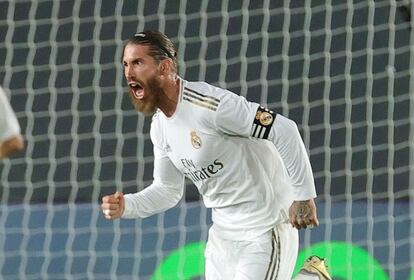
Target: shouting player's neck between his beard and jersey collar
(171, 90)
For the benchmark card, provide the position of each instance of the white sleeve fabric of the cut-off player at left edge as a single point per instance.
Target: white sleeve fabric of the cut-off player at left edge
(9, 126)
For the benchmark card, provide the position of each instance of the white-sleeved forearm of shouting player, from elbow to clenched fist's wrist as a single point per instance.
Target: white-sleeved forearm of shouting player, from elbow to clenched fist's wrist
(154, 199)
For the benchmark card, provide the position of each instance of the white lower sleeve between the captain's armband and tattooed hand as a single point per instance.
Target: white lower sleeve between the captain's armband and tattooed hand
(286, 137)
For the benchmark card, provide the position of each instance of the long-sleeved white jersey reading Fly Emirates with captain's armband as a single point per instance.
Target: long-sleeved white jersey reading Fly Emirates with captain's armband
(248, 163)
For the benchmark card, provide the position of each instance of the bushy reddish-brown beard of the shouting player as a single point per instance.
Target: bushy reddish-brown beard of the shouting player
(149, 104)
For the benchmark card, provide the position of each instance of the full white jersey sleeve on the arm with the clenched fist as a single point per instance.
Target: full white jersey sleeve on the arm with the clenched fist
(165, 191)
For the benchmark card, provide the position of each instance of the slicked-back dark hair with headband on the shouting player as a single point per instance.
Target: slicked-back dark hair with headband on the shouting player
(161, 47)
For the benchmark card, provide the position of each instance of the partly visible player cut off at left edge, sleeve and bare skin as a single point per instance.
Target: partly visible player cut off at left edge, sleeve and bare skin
(11, 140)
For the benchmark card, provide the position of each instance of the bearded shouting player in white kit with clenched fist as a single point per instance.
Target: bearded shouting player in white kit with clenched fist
(248, 163)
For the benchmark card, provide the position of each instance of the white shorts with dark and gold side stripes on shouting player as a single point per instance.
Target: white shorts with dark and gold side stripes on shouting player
(272, 256)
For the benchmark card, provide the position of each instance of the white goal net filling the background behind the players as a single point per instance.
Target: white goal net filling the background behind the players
(341, 69)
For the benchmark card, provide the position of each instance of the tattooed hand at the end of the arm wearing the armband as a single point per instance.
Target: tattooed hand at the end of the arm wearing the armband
(302, 214)
